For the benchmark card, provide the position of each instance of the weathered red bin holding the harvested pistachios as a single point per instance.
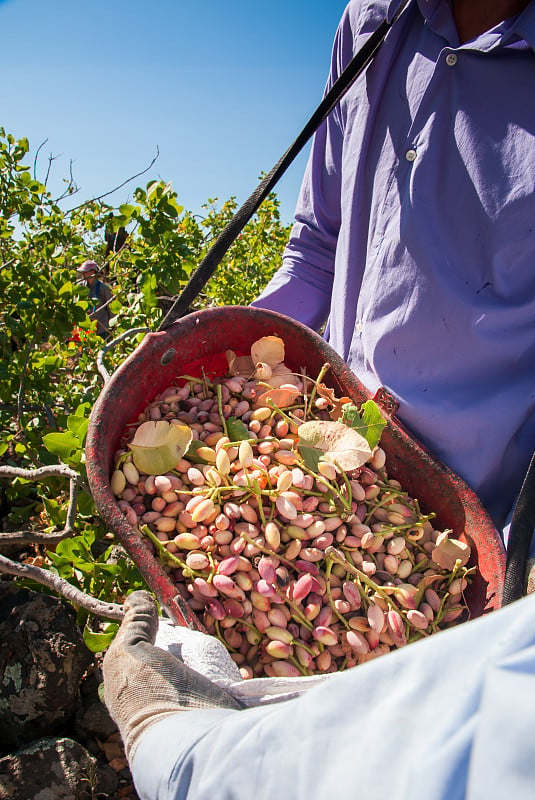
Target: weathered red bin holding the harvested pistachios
(201, 338)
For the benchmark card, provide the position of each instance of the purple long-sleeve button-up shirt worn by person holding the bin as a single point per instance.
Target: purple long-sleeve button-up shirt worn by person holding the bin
(414, 236)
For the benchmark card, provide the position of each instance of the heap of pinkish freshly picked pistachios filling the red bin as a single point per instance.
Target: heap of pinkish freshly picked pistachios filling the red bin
(296, 570)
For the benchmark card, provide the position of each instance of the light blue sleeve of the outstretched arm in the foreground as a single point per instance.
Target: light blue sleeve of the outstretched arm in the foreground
(449, 718)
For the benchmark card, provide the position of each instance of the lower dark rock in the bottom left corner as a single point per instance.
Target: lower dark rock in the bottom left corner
(54, 769)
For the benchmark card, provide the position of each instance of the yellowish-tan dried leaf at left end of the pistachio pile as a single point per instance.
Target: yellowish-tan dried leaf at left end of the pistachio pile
(158, 446)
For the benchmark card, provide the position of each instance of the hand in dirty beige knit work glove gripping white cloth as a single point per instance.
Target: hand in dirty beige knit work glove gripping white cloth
(143, 684)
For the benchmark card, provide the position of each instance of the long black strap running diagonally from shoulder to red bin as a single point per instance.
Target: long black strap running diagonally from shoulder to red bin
(209, 264)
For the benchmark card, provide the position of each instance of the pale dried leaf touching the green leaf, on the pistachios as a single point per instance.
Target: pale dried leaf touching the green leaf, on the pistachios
(339, 444)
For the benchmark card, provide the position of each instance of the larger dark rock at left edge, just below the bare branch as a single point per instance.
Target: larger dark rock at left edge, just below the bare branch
(42, 661)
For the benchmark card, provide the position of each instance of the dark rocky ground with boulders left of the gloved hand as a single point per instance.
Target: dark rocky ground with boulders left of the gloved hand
(57, 739)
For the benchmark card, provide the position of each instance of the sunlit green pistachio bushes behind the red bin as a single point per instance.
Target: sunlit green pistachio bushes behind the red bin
(48, 377)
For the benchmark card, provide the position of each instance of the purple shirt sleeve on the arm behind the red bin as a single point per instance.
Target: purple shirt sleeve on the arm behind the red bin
(302, 287)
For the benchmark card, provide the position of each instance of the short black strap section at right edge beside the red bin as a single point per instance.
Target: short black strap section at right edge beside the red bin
(520, 534)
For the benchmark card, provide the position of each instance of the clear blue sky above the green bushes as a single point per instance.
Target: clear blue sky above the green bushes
(220, 88)
